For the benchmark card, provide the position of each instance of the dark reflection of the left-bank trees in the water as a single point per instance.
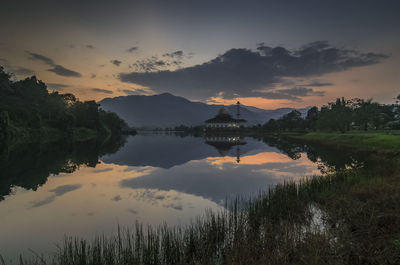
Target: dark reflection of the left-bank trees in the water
(28, 166)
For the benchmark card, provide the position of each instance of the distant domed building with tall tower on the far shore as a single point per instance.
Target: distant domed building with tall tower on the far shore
(224, 120)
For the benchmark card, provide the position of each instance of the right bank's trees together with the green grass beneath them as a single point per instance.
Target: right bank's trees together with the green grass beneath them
(355, 123)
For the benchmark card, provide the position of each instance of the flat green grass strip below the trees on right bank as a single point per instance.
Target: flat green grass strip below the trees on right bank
(362, 141)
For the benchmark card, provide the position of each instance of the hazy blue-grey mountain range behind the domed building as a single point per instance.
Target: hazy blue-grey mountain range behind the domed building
(167, 110)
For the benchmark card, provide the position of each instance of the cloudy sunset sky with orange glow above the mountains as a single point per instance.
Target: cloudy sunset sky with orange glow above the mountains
(267, 54)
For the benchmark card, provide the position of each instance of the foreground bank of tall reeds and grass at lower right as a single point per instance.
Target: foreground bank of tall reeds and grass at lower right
(350, 217)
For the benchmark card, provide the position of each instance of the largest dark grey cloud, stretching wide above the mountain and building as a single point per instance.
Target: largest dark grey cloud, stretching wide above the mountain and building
(244, 72)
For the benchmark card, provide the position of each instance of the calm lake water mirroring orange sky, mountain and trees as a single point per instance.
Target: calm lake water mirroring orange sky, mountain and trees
(88, 190)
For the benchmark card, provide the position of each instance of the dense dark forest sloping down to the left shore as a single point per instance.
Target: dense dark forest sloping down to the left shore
(29, 112)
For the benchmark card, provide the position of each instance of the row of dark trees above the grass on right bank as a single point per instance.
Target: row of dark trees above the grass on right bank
(342, 115)
